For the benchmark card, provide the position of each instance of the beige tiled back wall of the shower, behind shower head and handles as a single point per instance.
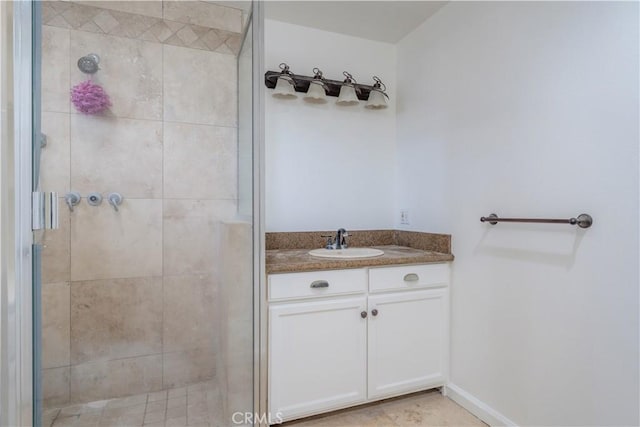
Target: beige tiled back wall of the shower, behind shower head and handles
(129, 297)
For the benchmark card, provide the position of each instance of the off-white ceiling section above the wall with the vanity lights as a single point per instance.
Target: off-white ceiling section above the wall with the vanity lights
(385, 21)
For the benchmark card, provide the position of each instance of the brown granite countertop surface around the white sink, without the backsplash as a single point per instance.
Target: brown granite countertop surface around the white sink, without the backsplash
(298, 260)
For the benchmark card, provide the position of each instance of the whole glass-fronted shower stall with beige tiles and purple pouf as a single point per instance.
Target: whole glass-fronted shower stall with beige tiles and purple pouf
(143, 170)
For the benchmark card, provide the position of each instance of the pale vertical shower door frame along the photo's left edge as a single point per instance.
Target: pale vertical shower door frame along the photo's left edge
(16, 368)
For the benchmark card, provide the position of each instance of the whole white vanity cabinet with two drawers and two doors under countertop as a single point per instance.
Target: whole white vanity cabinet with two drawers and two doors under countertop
(339, 338)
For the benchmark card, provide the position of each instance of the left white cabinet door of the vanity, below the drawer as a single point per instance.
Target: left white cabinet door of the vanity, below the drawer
(317, 356)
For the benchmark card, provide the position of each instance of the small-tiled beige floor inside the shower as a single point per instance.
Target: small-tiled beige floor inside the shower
(195, 405)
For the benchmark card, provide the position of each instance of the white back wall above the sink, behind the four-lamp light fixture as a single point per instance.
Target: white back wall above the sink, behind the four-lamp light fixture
(328, 166)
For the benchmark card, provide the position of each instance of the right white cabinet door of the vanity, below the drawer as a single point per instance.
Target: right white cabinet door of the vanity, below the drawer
(407, 341)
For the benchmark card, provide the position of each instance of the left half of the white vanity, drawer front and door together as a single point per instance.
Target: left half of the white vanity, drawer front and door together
(317, 341)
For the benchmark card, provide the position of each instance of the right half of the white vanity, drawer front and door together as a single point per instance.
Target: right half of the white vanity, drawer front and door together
(408, 328)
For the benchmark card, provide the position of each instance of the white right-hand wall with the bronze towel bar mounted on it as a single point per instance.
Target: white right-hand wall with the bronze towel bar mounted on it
(531, 109)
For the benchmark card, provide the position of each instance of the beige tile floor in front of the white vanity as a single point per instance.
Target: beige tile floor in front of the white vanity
(427, 409)
